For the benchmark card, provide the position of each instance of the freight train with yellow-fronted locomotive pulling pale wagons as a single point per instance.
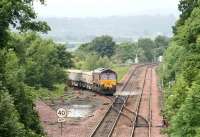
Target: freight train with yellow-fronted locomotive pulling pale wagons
(101, 80)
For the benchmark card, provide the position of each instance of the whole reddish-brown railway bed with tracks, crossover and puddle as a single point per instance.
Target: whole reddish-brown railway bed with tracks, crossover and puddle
(134, 110)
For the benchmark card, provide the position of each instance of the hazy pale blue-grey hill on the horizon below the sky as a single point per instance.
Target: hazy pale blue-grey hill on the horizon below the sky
(119, 27)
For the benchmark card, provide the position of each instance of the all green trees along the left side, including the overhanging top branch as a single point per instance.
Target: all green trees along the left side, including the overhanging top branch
(27, 62)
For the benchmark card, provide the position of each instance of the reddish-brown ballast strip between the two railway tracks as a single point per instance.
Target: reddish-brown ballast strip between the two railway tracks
(129, 111)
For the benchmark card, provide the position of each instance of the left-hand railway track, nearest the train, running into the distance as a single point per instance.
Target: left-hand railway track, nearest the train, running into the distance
(107, 124)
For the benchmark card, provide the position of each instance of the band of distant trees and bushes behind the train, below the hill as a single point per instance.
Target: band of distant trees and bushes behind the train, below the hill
(104, 52)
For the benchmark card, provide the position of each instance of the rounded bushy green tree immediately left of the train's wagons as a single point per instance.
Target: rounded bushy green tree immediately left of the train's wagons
(45, 63)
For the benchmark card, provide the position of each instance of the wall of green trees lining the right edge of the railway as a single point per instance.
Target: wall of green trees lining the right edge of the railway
(181, 73)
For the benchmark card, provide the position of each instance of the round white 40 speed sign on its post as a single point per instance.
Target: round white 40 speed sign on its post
(61, 113)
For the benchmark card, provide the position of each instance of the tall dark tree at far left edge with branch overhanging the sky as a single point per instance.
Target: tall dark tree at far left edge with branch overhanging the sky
(20, 15)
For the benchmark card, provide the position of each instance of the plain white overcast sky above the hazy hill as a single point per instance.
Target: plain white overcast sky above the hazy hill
(101, 8)
